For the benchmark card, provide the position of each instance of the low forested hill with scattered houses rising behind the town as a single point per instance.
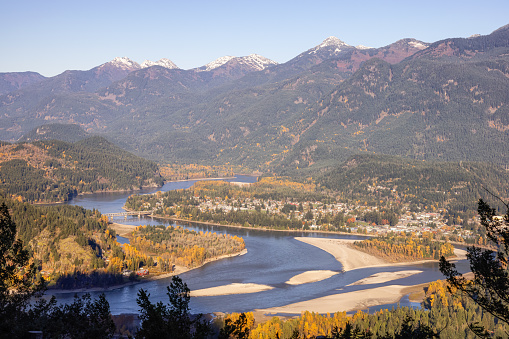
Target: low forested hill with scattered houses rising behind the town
(455, 186)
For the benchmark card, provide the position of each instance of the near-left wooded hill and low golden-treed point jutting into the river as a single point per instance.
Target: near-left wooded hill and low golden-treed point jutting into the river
(73, 247)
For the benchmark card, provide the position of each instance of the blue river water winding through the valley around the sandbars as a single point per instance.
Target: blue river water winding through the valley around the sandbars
(272, 258)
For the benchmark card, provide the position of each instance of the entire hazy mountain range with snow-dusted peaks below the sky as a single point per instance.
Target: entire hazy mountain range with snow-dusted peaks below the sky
(446, 100)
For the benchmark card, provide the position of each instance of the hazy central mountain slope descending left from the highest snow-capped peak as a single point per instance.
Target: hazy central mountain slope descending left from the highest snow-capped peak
(227, 122)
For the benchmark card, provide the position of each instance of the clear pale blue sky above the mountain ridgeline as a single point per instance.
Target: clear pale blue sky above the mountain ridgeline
(52, 36)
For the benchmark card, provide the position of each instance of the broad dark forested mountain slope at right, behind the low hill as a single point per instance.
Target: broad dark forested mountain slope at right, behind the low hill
(441, 108)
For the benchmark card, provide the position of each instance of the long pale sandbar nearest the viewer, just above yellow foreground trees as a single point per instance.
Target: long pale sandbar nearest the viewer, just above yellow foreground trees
(347, 302)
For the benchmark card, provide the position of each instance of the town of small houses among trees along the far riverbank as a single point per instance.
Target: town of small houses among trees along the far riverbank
(314, 215)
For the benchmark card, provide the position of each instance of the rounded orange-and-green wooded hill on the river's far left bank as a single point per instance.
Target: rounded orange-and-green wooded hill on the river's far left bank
(54, 171)
